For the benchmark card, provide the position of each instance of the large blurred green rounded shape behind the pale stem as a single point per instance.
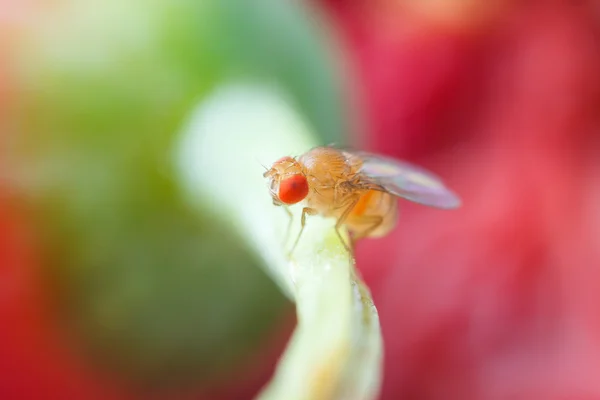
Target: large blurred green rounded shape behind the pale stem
(148, 288)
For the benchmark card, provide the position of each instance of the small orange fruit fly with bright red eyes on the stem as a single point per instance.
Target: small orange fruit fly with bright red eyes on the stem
(357, 188)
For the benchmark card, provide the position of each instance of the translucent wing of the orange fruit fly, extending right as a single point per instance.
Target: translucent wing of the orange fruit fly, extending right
(405, 180)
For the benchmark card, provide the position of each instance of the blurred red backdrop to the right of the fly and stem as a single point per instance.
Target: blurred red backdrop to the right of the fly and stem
(500, 300)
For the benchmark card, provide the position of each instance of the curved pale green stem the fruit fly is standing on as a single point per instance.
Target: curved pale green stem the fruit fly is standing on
(336, 349)
